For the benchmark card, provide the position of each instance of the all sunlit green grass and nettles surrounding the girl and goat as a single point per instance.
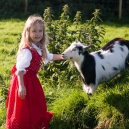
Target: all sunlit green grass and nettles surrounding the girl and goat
(107, 108)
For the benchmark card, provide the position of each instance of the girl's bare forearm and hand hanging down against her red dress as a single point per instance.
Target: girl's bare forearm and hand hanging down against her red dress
(21, 89)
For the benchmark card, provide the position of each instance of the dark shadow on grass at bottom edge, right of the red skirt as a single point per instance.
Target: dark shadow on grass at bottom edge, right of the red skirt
(78, 120)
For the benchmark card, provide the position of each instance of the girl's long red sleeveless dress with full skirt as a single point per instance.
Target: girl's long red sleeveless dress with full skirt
(31, 112)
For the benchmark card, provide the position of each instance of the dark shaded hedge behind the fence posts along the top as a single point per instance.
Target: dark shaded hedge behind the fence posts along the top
(16, 8)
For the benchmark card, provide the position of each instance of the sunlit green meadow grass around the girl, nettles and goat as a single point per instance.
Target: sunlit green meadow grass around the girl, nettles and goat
(108, 108)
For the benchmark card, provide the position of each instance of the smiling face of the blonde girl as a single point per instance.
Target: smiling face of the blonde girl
(36, 33)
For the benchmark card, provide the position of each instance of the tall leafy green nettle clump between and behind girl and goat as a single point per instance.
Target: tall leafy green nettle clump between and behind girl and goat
(62, 33)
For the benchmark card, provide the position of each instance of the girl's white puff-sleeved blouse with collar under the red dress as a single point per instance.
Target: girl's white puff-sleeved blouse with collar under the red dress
(24, 57)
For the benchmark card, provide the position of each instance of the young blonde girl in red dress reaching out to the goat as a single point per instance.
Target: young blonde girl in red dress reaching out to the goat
(26, 104)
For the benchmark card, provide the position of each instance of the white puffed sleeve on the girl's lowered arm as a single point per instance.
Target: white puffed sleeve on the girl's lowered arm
(23, 60)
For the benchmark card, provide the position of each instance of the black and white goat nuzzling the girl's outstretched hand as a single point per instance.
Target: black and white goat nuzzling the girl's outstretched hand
(98, 66)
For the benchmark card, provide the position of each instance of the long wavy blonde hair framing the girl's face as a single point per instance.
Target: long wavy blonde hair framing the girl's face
(26, 41)
